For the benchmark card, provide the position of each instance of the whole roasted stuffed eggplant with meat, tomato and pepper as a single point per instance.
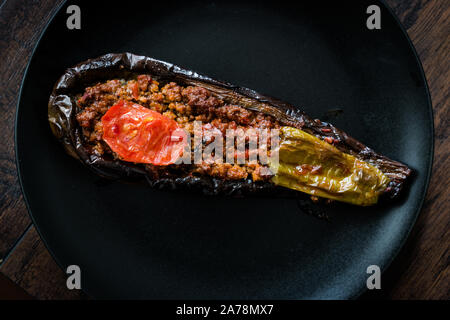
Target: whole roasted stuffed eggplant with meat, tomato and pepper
(130, 117)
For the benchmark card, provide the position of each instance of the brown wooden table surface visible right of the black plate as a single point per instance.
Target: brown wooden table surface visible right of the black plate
(421, 271)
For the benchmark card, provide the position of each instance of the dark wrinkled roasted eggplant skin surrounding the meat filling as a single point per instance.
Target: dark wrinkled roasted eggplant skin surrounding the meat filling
(62, 109)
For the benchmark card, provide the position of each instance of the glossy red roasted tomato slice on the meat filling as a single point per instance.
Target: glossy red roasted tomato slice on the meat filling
(141, 135)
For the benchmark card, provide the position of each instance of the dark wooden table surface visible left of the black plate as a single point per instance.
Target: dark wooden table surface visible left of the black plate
(23, 257)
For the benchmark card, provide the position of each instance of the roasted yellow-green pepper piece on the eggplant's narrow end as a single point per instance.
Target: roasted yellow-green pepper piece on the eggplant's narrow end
(311, 165)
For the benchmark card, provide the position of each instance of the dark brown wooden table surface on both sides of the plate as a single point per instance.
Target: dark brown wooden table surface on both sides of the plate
(421, 271)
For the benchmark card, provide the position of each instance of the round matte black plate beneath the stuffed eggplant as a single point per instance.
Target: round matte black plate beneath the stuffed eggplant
(134, 242)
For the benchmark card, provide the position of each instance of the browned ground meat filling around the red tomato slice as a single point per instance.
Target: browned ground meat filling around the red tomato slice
(182, 104)
